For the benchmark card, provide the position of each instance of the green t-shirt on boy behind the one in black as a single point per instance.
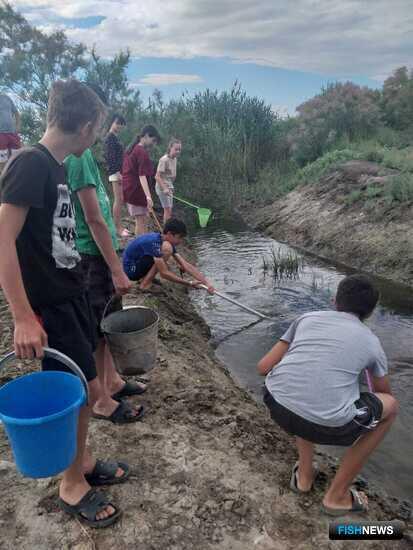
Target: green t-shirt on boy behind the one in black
(83, 172)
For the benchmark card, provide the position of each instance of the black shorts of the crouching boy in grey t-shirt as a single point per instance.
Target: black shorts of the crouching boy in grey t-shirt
(370, 412)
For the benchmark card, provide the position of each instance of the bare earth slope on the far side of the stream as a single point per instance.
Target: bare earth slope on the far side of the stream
(373, 236)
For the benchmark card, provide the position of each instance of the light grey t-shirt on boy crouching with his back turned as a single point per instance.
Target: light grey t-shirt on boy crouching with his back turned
(318, 377)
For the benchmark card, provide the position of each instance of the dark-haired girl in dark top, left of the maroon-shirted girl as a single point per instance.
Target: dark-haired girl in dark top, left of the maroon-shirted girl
(113, 153)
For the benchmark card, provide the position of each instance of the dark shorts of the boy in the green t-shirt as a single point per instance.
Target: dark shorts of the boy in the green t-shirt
(98, 281)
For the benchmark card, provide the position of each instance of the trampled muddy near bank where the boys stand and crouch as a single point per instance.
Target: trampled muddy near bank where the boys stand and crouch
(210, 469)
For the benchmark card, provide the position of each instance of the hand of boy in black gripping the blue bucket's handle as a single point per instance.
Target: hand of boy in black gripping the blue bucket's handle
(29, 338)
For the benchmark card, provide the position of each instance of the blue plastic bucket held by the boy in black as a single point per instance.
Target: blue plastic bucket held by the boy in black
(40, 413)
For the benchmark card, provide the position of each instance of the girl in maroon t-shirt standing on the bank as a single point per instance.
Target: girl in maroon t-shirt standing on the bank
(137, 169)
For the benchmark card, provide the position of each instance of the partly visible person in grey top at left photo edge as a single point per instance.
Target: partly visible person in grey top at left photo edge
(9, 128)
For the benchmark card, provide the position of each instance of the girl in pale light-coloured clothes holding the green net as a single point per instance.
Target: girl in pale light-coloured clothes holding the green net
(165, 177)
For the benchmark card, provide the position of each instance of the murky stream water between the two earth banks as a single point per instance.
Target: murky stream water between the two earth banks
(231, 255)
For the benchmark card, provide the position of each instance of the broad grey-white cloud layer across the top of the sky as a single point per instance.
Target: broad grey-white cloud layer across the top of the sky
(338, 37)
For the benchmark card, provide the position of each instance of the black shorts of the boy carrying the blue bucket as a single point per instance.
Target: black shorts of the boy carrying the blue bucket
(70, 328)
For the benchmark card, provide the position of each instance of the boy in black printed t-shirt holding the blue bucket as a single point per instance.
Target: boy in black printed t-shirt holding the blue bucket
(39, 276)
